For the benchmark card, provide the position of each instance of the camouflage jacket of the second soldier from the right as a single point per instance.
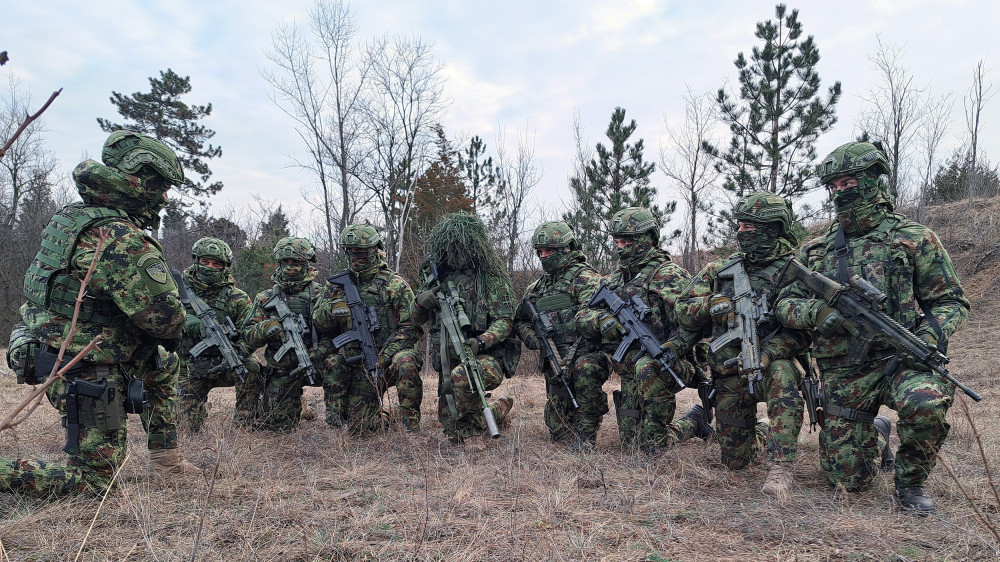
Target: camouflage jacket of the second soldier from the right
(693, 314)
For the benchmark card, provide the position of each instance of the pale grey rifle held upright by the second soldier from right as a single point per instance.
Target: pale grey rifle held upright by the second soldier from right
(750, 309)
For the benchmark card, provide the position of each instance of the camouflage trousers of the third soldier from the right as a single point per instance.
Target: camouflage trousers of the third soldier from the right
(648, 405)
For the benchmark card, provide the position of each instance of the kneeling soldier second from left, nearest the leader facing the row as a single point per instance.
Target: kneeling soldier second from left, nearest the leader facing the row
(210, 279)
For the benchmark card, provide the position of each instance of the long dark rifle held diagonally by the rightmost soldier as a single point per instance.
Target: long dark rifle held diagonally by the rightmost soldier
(860, 303)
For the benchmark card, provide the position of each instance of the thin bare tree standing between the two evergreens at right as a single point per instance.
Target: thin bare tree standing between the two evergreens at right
(689, 167)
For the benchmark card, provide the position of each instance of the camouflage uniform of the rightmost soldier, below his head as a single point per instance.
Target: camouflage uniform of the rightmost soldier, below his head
(907, 262)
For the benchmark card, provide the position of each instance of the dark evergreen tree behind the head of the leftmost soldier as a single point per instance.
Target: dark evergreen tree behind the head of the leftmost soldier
(161, 114)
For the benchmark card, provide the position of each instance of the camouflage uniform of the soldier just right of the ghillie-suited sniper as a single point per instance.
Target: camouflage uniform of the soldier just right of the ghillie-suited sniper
(574, 285)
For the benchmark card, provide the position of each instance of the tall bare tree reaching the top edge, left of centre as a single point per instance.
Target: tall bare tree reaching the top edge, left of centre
(321, 88)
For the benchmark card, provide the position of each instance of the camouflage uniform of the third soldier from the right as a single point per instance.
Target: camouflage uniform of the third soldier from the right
(646, 387)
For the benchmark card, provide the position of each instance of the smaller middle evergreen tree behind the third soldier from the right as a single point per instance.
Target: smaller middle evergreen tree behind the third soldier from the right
(618, 178)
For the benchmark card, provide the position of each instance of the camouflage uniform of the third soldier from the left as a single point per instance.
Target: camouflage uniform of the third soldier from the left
(281, 408)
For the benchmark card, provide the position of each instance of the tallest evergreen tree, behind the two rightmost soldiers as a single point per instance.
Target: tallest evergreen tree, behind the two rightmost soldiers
(779, 113)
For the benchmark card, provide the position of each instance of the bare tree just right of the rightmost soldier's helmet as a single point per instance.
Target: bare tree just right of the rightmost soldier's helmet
(891, 109)
